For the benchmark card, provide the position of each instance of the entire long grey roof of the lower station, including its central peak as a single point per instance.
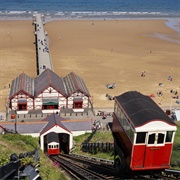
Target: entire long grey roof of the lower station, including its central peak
(48, 123)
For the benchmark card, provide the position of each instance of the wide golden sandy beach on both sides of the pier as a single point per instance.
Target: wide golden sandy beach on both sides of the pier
(100, 52)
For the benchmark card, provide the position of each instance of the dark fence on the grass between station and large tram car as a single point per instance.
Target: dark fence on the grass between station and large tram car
(97, 147)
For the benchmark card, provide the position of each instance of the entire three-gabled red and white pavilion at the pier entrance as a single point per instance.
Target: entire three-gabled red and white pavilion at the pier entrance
(49, 92)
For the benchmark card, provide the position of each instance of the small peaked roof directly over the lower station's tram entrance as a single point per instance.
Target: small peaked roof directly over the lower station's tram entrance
(53, 120)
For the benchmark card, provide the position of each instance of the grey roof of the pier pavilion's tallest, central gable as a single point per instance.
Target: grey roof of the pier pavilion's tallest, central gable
(48, 78)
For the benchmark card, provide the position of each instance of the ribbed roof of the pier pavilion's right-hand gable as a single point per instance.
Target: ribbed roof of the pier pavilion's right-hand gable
(75, 83)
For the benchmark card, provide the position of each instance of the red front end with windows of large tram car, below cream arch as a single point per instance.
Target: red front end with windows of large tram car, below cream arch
(152, 150)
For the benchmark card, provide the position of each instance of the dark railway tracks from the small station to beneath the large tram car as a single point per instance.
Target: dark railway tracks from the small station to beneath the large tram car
(85, 167)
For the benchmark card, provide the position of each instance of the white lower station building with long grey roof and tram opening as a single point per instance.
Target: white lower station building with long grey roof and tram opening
(65, 128)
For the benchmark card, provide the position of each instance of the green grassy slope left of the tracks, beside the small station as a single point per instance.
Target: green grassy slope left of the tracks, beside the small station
(14, 143)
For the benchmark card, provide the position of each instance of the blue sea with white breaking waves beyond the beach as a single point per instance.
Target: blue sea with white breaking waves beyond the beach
(90, 9)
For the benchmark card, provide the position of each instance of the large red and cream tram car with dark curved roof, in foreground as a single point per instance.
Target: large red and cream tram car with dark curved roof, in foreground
(143, 133)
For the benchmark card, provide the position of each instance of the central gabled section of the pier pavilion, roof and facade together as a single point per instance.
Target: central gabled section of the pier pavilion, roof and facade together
(50, 92)
